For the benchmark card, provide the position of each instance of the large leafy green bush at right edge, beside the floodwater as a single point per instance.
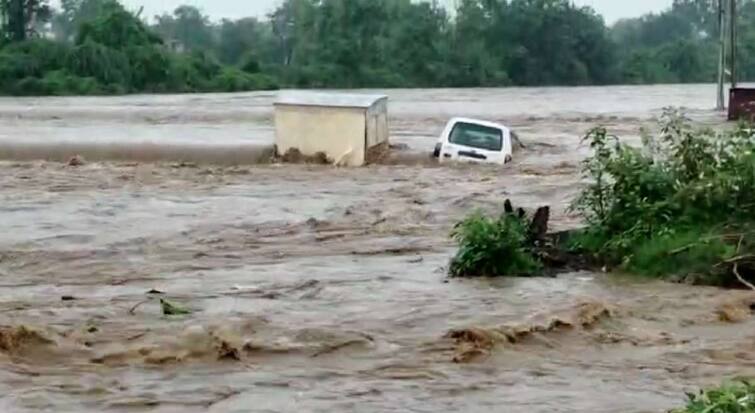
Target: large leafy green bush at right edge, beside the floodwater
(667, 207)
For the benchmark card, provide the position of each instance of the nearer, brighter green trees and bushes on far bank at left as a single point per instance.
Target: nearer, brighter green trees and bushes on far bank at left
(115, 52)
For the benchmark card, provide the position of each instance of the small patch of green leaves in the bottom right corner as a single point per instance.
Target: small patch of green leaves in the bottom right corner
(736, 397)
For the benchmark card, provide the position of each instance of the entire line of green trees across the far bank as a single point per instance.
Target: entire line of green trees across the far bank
(96, 46)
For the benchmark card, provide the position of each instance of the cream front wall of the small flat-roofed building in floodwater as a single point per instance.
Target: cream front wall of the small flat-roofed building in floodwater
(338, 132)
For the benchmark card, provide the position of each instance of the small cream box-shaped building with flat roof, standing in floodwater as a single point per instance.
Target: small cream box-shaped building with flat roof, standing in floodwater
(348, 129)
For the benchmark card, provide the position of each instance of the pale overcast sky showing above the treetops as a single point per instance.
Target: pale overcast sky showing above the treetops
(611, 9)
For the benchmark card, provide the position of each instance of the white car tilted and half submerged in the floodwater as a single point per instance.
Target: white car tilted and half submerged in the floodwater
(471, 140)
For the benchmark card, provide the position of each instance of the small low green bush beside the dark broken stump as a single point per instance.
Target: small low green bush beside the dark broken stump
(492, 247)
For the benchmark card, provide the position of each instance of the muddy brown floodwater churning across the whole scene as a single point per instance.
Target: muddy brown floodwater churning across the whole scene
(318, 289)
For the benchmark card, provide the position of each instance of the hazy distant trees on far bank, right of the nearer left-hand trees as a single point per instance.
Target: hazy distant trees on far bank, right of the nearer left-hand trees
(400, 43)
